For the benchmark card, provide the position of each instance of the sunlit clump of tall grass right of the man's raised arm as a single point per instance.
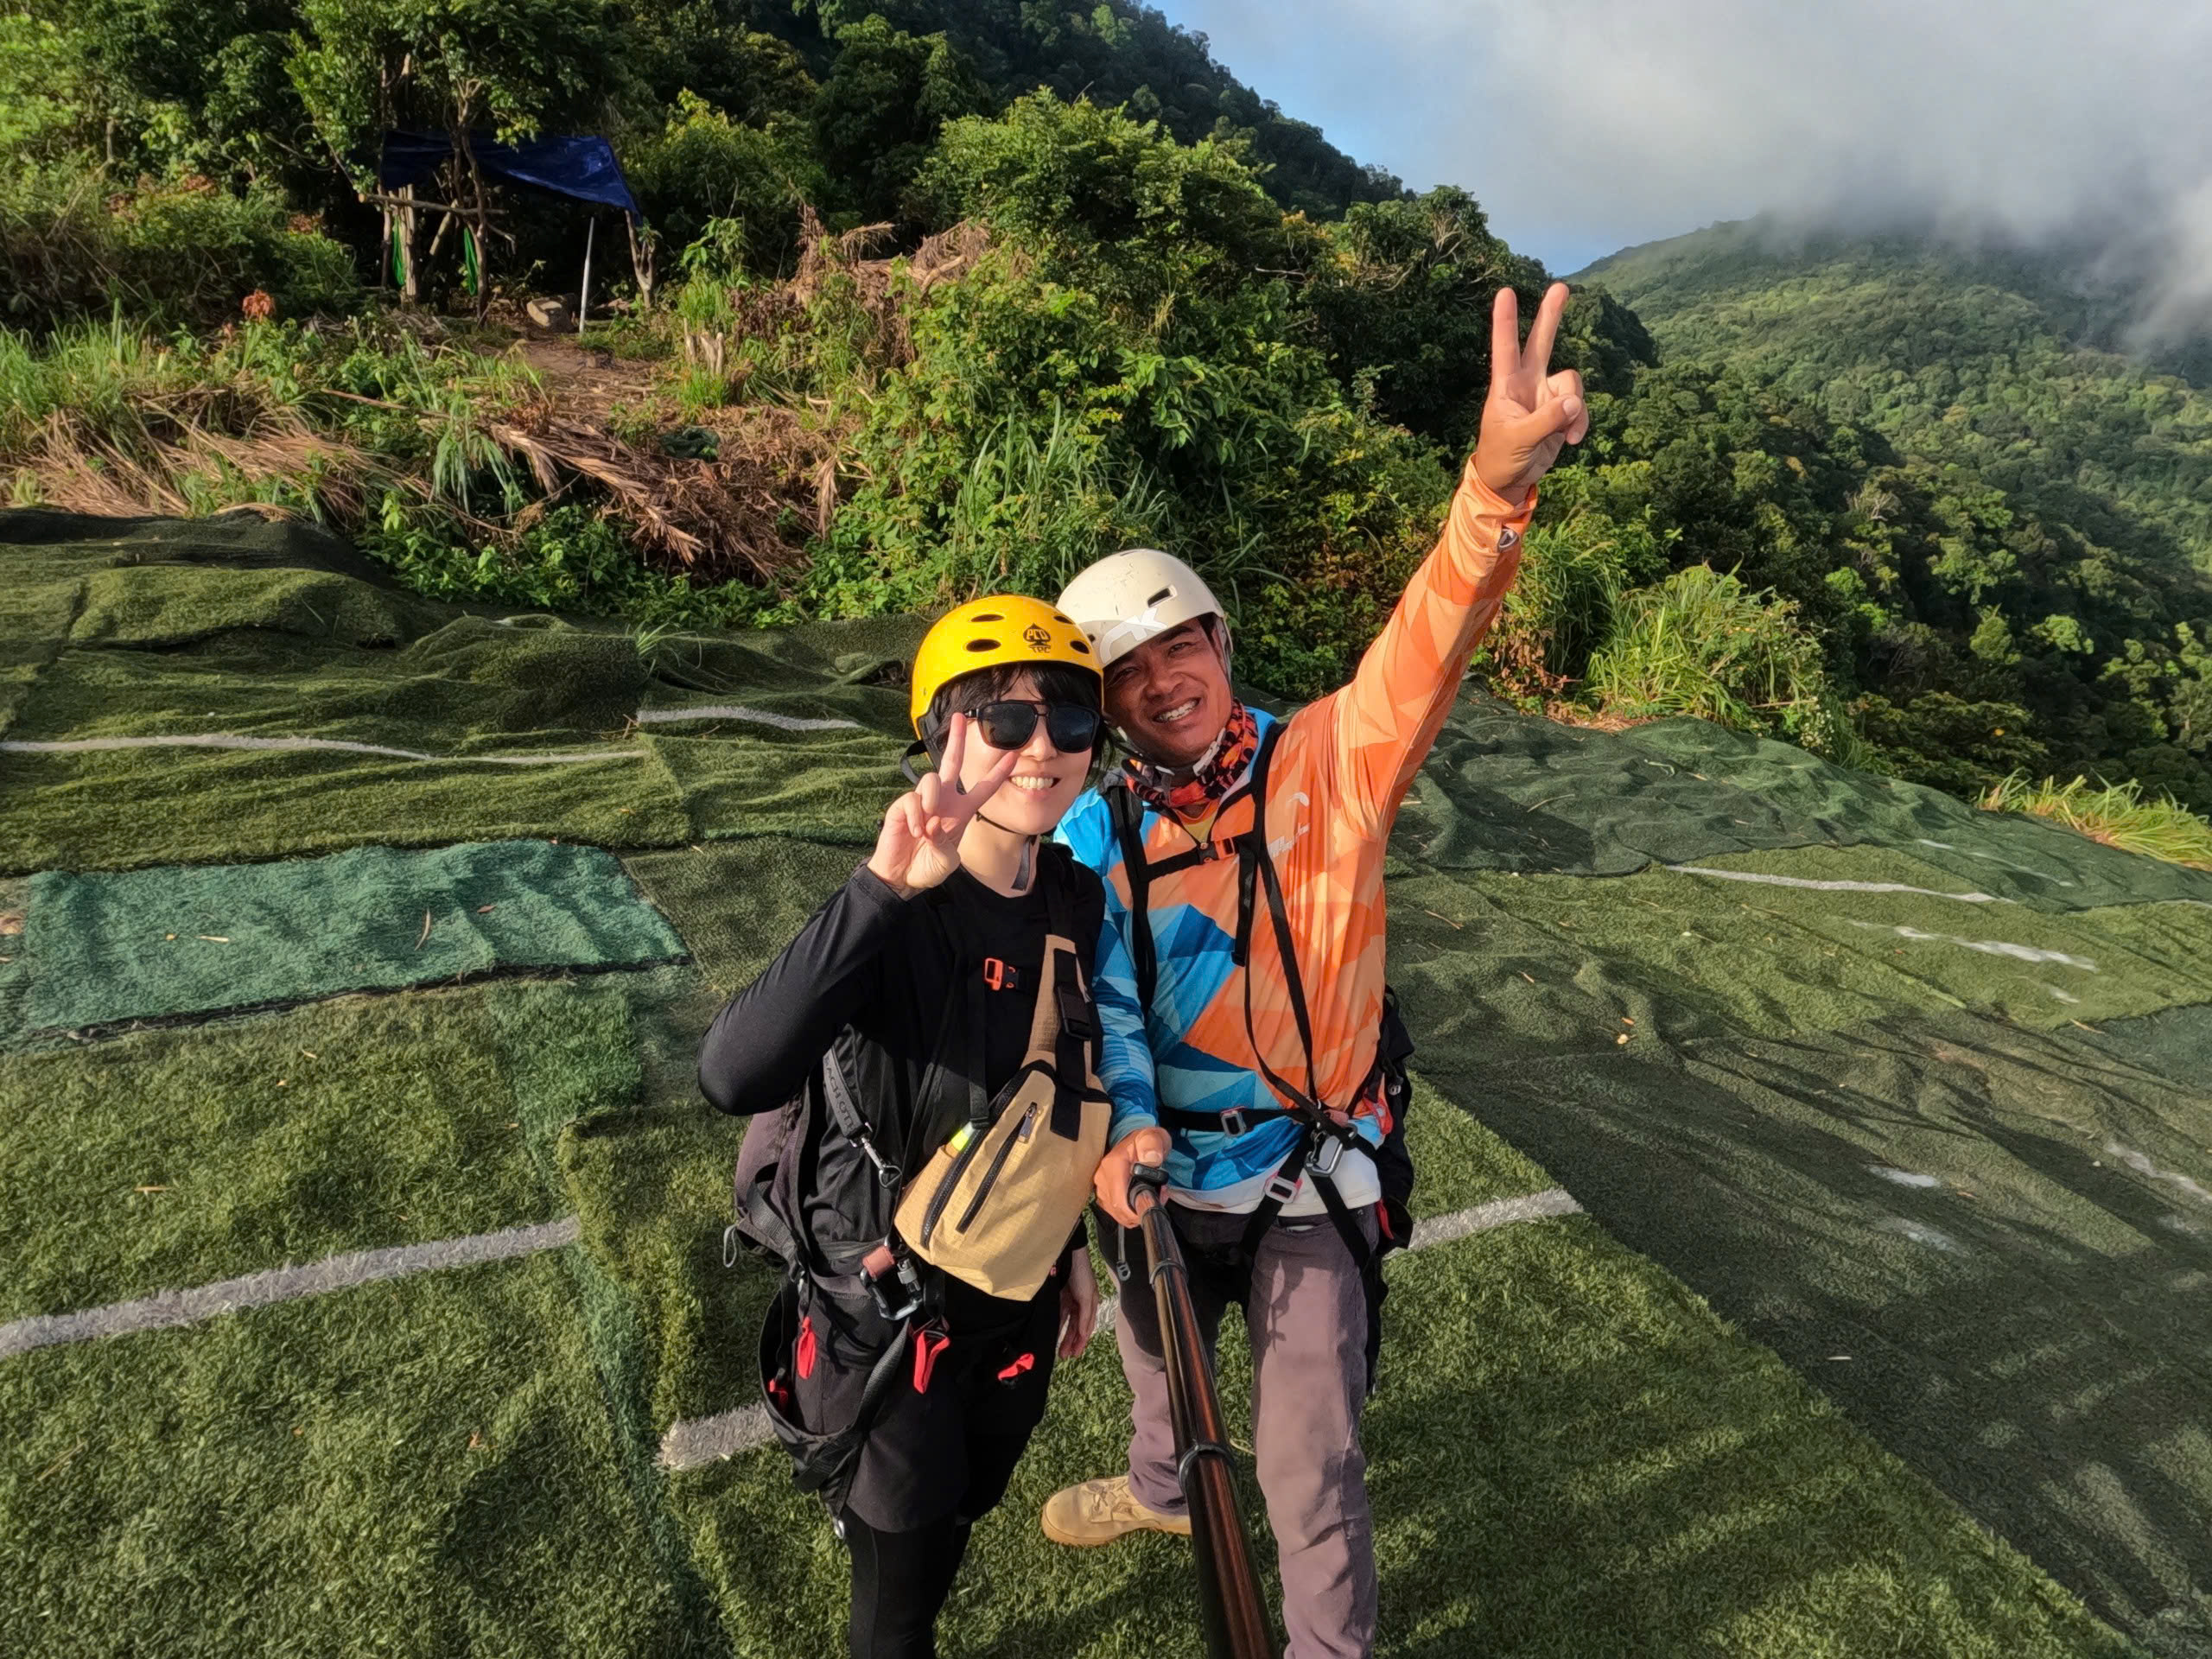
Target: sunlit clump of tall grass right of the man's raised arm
(1709, 647)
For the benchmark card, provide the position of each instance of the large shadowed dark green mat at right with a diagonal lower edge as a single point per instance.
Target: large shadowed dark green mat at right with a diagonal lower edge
(1987, 1244)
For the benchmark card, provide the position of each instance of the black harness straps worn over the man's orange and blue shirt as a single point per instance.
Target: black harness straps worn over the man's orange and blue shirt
(1317, 1149)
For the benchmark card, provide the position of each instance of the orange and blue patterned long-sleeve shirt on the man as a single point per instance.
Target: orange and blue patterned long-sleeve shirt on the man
(1337, 778)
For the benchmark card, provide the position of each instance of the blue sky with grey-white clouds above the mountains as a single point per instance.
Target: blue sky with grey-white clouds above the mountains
(1594, 125)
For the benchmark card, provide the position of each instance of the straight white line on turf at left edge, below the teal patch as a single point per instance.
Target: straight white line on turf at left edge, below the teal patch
(282, 1284)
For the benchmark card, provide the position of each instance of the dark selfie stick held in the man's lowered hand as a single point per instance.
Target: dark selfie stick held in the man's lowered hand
(1229, 1587)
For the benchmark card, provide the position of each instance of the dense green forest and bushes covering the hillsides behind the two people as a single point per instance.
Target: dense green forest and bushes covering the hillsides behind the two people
(937, 295)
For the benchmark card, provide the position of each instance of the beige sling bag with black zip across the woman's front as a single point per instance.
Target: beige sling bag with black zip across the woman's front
(1001, 1198)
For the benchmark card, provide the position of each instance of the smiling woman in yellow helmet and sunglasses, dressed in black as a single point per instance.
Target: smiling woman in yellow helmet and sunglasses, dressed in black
(921, 1072)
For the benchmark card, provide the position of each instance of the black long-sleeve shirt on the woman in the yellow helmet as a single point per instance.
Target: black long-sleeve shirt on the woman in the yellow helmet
(886, 981)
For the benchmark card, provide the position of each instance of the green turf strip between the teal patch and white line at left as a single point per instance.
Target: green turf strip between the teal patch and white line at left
(178, 1158)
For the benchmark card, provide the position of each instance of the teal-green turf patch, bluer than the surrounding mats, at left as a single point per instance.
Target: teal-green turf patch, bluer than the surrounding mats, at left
(112, 948)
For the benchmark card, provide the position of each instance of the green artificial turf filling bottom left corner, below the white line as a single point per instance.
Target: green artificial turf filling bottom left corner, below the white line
(419, 1468)
